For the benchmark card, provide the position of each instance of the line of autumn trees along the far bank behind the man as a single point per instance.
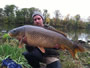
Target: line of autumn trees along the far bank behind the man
(10, 14)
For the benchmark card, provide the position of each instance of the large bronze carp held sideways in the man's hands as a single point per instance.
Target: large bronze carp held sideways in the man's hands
(44, 38)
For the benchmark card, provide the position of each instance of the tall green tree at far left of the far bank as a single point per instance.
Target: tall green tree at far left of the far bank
(10, 13)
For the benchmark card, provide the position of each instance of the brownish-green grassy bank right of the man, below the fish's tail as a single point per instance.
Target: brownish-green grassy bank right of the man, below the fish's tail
(68, 62)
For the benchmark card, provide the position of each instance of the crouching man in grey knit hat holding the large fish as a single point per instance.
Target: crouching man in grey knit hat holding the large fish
(35, 56)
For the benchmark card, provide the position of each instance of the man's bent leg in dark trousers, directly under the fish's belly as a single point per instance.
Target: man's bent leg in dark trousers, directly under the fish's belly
(34, 58)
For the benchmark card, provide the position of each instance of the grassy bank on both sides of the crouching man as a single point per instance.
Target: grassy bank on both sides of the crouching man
(11, 49)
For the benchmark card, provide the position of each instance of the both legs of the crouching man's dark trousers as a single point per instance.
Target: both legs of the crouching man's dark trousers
(35, 57)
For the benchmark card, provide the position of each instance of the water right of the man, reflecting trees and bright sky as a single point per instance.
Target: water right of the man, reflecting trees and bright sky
(77, 34)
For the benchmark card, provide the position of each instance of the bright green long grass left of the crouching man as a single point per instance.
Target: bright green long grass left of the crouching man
(15, 53)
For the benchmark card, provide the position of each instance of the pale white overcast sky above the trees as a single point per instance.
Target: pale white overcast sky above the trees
(72, 7)
